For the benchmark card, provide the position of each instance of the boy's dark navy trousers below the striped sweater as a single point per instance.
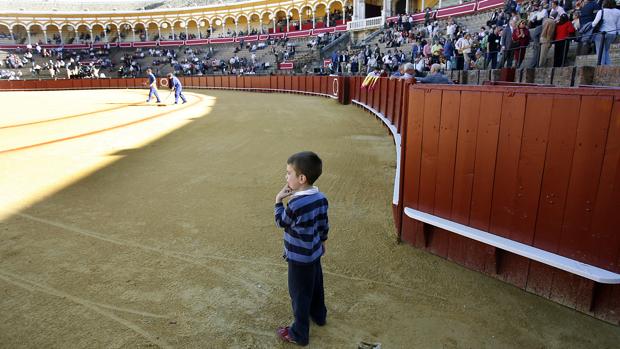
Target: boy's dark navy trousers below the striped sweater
(305, 286)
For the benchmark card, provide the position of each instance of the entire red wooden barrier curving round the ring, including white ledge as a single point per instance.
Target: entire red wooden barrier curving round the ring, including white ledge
(519, 182)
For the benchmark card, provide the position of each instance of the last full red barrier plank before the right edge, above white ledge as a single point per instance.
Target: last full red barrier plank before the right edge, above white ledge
(592, 129)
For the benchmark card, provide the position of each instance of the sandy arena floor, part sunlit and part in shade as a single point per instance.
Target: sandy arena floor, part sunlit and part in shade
(126, 225)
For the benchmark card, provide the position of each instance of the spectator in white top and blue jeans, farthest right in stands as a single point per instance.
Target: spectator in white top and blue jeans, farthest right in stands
(610, 16)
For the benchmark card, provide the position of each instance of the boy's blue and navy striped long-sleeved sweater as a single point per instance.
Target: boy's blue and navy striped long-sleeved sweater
(305, 224)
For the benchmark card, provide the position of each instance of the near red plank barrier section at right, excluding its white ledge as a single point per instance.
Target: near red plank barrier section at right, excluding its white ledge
(535, 165)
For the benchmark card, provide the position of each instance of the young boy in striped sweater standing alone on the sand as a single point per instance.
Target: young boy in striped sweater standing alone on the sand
(305, 225)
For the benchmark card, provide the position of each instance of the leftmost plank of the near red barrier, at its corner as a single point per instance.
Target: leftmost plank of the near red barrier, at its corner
(412, 164)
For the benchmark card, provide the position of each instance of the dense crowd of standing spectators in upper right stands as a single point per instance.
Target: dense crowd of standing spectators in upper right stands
(503, 42)
